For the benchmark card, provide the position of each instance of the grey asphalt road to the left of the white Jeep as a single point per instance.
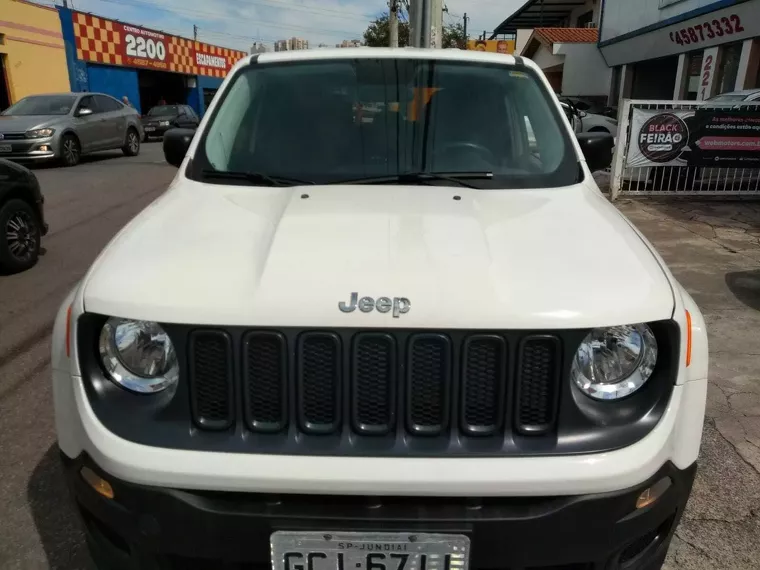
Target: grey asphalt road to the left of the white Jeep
(85, 206)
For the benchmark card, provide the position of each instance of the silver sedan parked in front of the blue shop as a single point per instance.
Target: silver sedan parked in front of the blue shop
(65, 126)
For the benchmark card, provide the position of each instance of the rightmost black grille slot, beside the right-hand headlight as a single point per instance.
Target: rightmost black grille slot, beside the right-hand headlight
(537, 384)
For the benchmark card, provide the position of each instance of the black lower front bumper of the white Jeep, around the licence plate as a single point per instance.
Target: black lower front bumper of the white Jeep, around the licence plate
(164, 528)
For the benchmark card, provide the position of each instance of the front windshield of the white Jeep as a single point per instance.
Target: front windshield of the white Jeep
(334, 121)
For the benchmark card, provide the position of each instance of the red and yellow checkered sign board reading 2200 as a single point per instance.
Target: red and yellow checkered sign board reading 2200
(99, 40)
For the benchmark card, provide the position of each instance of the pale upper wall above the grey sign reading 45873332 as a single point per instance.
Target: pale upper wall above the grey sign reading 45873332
(623, 16)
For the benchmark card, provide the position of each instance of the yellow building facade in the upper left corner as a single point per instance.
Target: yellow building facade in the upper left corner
(32, 54)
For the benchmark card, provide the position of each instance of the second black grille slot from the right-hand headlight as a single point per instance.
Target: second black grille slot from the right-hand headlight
(484, 372)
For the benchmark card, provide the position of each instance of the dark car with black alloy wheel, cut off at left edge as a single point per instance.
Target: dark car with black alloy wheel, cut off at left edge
(22, 220)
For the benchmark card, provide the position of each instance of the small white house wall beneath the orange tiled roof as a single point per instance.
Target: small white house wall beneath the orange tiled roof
(585, 73)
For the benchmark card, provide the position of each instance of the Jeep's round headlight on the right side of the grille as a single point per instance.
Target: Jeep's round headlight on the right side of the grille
(614, 362)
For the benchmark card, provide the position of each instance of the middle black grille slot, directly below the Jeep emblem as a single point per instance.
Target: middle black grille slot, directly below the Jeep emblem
(374, 378)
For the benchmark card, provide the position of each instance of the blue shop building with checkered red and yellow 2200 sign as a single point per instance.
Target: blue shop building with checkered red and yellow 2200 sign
(146, 66)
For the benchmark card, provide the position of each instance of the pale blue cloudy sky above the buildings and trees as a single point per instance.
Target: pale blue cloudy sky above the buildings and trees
(238, 23)
